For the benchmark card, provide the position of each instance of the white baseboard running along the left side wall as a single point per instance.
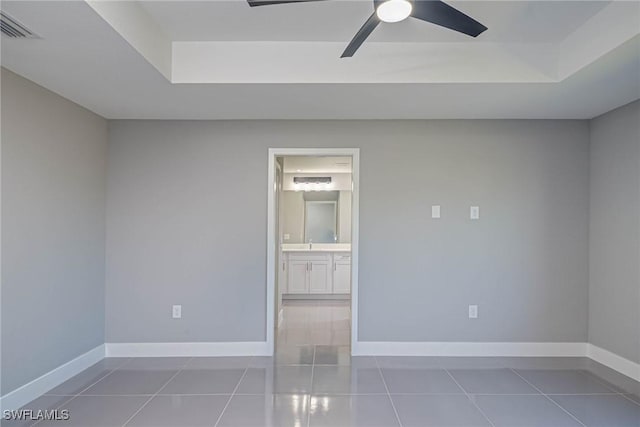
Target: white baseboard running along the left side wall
(34, 389)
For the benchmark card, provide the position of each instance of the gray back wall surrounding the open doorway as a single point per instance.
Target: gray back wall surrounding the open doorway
(179, 234)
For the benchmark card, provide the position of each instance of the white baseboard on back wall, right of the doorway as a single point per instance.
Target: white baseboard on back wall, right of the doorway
(471, 349)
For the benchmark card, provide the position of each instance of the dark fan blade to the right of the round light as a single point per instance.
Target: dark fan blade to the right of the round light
(440, 13)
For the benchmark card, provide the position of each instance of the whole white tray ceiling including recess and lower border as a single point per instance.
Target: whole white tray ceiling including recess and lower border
(127, 65)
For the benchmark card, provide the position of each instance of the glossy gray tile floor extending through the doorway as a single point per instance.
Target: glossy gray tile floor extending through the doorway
(307, 384)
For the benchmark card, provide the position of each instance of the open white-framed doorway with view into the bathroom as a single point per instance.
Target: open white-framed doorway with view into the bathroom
(312, 252)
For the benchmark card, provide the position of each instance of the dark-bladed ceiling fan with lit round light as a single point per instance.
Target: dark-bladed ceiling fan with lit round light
(434, 11)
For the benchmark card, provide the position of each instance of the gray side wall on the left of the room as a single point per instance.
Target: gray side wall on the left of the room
(53, 230)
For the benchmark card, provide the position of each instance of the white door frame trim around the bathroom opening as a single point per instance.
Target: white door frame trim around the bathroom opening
(354, 153)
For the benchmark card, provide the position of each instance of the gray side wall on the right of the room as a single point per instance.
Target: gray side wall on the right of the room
(614, 267)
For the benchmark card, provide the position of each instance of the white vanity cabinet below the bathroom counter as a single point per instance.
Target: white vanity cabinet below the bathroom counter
(321, 273)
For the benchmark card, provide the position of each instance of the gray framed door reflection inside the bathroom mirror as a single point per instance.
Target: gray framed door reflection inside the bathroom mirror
(320, 221)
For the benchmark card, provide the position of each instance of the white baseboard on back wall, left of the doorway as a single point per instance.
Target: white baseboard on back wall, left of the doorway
(187, 349)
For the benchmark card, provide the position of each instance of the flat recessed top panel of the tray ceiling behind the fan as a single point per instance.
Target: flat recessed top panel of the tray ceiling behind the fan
(338, 20)
